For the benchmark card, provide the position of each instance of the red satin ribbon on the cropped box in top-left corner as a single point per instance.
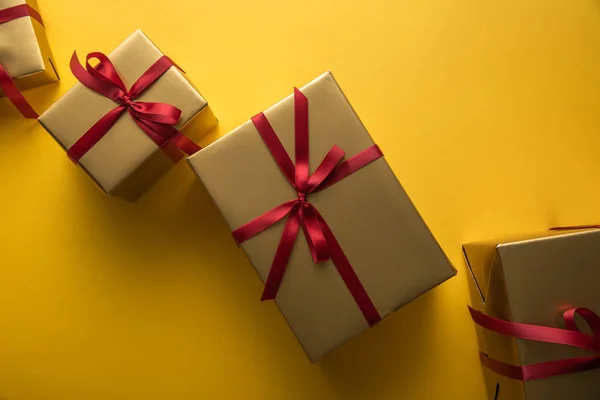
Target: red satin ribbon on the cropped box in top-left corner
(7, 85)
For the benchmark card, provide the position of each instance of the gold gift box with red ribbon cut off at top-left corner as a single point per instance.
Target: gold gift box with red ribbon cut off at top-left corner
(25, 58)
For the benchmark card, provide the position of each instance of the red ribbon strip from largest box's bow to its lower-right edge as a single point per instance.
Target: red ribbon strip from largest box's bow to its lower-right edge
(344, 268)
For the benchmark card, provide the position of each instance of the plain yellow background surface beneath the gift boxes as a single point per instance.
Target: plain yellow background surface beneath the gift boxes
(486, 110)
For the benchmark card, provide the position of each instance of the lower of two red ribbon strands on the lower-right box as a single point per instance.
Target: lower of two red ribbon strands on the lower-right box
(541, 370)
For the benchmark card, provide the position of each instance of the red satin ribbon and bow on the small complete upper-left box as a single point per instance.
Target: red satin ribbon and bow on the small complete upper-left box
(155, 119)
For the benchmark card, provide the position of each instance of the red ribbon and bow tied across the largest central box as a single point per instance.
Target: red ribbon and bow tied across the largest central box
(321, 240)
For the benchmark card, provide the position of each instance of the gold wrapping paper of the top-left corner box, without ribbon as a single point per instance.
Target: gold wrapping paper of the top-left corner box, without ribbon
(24, 50)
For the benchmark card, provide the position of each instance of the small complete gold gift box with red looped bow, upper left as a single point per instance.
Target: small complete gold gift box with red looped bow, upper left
(122, 121)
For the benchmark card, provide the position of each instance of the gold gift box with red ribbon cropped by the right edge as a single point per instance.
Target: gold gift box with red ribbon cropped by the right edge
(541, 280)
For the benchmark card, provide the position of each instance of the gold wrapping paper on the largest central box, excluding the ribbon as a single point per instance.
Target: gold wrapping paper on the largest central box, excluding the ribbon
(390, 247)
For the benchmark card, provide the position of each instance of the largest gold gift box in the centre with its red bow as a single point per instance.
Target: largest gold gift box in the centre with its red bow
(367, 251)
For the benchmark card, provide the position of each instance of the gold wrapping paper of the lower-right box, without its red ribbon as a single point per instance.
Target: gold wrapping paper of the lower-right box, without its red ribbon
(533, 280)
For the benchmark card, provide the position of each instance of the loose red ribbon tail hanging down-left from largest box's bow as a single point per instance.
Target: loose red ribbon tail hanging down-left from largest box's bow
(284, 250)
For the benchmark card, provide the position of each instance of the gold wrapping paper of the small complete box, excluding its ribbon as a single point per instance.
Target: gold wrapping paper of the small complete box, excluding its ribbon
(126, 161)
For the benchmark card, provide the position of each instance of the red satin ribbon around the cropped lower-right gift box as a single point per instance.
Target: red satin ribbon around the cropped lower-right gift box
(571, 336)
